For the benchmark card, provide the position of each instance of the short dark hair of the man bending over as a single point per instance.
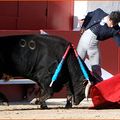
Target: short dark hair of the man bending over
(115, 17)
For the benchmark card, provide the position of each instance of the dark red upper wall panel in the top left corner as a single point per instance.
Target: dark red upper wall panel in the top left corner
(8, 15)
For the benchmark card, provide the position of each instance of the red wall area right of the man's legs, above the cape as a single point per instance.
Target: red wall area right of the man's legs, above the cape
(110, 56)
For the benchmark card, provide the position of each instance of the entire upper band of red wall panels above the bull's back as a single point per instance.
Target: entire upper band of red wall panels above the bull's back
(35, 15)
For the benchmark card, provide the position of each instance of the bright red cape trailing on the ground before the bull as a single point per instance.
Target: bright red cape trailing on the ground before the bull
(106, 94)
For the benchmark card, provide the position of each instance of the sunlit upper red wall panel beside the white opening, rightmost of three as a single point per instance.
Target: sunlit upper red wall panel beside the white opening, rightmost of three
(60, 15)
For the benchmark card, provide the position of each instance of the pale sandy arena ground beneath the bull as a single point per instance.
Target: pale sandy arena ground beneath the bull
(23, 110)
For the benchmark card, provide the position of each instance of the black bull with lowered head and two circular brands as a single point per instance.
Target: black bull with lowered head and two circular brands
(36, 57)
